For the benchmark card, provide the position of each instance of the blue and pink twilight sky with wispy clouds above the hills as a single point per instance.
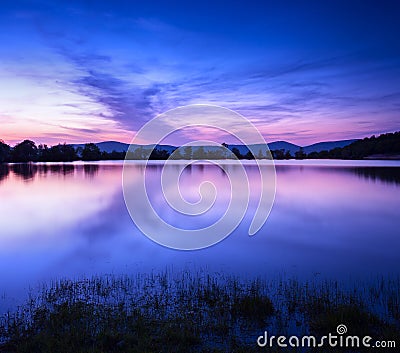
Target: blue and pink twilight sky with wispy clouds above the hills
(301, 71)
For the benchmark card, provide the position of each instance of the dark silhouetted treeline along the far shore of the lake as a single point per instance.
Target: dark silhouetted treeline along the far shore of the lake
(381, 147)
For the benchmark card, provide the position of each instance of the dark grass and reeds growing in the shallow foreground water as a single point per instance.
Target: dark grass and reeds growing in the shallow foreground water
(197, 313)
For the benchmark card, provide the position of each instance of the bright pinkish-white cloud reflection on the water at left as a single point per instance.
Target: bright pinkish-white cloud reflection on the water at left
(48, 203)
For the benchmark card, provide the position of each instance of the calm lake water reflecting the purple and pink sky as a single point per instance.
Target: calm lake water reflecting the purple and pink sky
(330, 219)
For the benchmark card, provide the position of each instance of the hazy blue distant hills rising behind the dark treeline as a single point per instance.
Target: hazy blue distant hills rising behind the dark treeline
(110, 146)
